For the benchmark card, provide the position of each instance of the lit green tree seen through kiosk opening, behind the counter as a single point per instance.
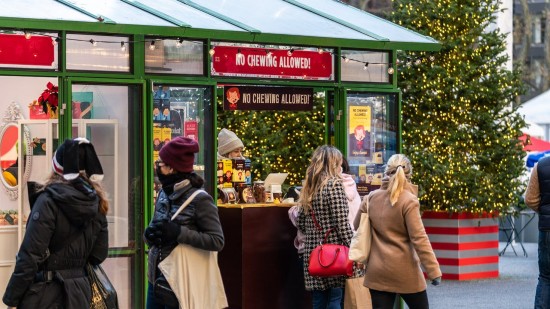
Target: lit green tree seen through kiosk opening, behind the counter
(277, 141)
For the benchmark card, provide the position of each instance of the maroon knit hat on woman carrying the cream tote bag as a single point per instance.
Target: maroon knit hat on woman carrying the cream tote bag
(179, 153)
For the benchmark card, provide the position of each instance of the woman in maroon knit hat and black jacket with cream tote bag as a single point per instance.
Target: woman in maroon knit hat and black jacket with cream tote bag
(198, 225)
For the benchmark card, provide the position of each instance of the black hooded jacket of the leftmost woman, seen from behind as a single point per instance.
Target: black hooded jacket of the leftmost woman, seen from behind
(65, 222)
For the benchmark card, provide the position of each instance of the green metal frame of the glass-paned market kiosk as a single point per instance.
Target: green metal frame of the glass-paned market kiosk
(138, 76)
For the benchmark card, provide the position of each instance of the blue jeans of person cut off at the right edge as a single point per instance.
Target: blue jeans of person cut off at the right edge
(542, 296)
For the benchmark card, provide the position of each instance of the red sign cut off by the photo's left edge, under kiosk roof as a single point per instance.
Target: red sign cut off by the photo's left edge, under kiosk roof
(36, 51)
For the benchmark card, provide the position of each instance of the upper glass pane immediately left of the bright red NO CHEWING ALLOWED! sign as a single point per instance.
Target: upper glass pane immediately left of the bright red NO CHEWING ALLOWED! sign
(174, 57)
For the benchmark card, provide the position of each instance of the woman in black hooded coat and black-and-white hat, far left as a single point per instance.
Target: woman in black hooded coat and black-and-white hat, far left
(66, 229)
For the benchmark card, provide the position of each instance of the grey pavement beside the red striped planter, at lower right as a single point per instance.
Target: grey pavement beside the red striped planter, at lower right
(514, 289)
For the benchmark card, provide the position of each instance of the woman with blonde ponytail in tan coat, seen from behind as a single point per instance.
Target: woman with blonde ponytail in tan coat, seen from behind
(399, 242)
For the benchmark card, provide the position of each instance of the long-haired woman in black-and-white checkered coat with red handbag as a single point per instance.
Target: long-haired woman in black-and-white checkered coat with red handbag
(323, 194)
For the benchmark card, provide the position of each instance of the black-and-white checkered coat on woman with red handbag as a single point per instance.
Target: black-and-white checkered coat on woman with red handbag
(331, 210)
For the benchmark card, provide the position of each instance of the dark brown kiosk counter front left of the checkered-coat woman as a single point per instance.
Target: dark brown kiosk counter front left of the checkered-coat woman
(259, 263)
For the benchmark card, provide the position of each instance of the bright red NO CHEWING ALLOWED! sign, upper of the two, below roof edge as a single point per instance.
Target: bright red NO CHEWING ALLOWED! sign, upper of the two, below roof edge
(271, 63)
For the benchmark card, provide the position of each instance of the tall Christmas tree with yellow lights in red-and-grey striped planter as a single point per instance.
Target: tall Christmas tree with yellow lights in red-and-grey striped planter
(460, 126)
